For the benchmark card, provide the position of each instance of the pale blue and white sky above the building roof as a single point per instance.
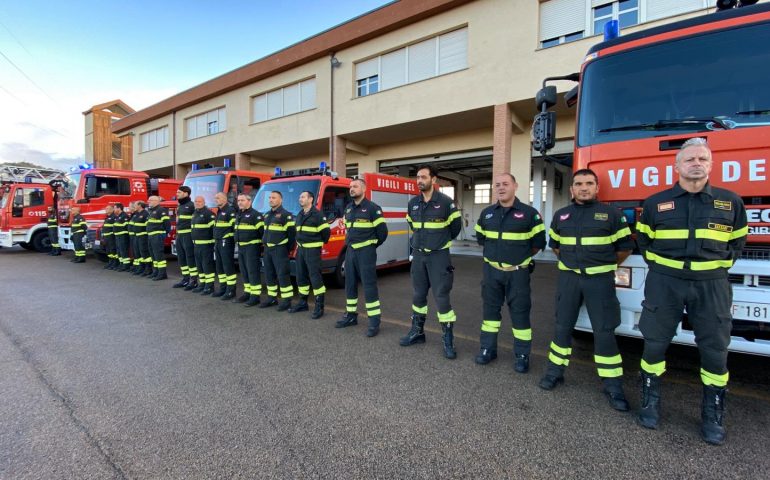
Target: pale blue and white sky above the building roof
(57, 59)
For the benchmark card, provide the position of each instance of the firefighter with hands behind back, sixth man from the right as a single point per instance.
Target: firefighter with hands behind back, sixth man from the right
(312, 232)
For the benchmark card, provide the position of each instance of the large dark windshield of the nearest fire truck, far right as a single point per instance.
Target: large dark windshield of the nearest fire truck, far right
(706, 82)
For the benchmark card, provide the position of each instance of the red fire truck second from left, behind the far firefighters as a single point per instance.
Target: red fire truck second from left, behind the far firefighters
(92, 189)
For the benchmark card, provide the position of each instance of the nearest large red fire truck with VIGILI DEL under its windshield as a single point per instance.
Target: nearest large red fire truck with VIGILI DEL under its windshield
(639, 98)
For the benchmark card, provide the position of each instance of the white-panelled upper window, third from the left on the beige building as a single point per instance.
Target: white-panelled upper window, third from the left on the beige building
(288, 100)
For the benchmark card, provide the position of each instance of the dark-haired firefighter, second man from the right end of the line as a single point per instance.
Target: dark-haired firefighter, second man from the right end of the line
(590, 239)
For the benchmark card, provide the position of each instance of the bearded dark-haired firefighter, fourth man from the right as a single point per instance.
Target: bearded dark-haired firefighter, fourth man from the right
(435, 222)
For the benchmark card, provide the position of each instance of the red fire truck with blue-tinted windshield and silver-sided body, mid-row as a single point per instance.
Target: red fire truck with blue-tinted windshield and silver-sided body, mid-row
(332, 195)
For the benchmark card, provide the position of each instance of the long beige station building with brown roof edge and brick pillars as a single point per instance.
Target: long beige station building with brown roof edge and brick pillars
(448, 82)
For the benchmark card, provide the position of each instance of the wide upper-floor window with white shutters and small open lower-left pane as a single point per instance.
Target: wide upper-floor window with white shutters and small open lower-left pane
(419, 61)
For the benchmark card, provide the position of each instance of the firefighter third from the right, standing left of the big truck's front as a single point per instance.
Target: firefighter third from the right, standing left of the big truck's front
(511, 233)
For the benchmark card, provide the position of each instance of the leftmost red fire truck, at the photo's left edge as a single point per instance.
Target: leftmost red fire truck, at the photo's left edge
(25, 195)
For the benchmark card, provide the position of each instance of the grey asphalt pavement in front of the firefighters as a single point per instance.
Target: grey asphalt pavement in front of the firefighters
(108, 375)
